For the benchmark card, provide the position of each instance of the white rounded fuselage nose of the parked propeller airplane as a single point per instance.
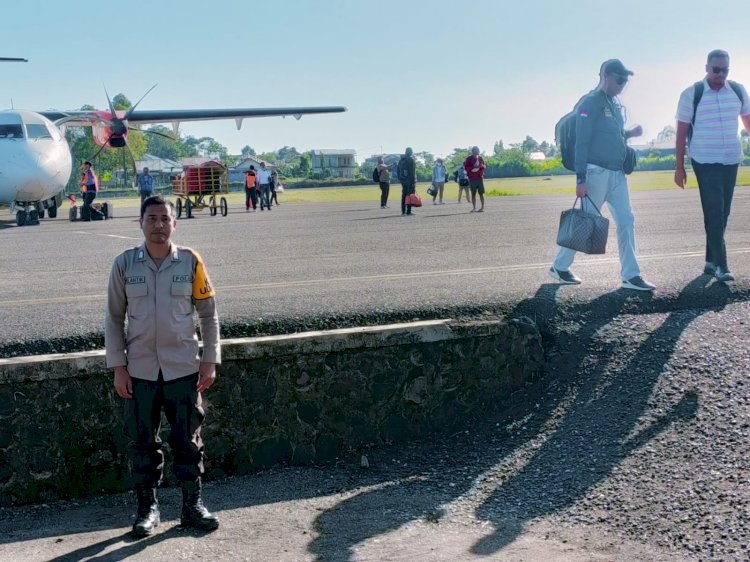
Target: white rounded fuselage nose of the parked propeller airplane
(35, 160)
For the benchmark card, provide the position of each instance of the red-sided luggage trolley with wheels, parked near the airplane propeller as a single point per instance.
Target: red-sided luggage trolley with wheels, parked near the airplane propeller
(198, 187)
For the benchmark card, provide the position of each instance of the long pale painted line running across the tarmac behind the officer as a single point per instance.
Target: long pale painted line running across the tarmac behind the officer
(385, 277)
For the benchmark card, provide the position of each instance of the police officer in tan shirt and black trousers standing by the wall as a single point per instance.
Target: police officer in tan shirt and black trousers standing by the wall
(158, 287)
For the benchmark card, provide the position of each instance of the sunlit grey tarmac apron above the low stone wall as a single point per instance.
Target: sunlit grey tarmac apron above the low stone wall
(318, 265)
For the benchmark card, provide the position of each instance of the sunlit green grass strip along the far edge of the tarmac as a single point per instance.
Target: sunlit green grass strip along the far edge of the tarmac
(540, 185)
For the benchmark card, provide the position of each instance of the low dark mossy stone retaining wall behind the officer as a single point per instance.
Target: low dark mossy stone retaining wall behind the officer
(296, 398)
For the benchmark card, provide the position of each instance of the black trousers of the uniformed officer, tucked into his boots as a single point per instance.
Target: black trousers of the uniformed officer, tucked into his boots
(183, 409)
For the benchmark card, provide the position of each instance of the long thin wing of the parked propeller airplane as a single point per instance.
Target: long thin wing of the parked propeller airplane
(177, 116)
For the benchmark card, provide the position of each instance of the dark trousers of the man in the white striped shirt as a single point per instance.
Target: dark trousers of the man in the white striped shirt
(716, 185)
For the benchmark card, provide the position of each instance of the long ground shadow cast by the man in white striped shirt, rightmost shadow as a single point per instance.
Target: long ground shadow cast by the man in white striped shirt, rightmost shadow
(607, 420)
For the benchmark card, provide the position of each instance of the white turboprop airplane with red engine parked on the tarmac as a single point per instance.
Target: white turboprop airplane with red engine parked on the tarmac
(35, 159)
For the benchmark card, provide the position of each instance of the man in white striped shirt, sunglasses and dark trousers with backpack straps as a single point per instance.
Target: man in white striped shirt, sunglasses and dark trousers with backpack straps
(707, 120)
